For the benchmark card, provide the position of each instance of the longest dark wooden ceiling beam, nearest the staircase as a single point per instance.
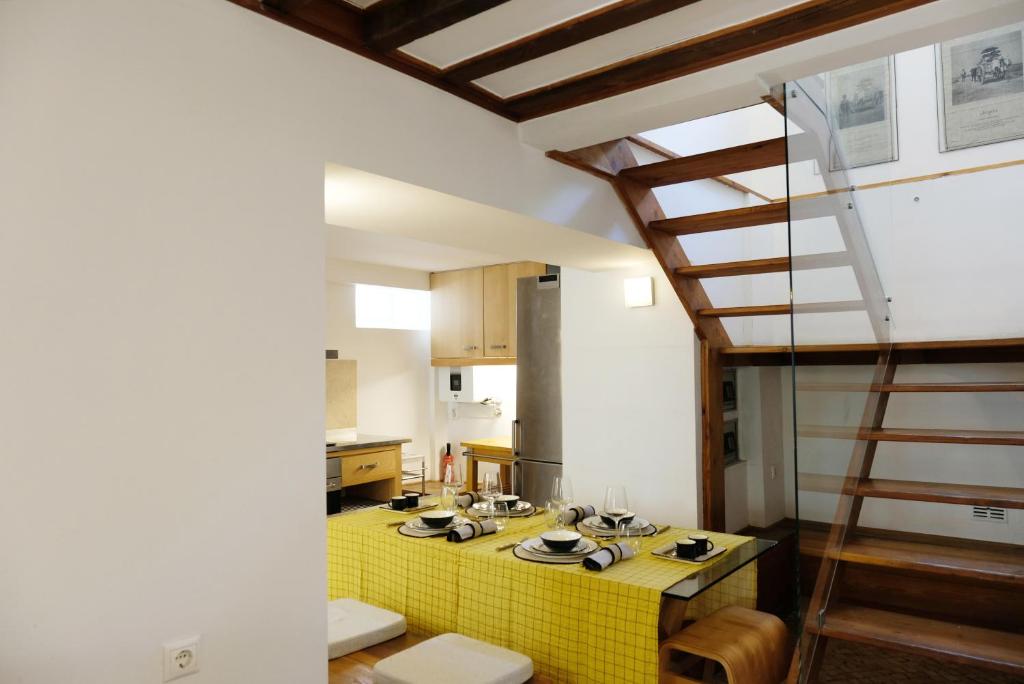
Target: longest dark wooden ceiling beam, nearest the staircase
(790, 26)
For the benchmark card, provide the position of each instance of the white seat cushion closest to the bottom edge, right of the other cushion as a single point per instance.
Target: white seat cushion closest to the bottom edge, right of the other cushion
(453, 659)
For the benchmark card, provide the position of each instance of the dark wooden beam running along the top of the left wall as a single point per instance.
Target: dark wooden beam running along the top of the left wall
(343, 25)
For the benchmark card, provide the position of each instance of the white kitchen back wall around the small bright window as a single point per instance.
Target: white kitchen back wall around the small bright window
(394, 375)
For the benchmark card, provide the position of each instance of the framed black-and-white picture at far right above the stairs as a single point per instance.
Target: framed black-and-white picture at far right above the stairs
(982, 89)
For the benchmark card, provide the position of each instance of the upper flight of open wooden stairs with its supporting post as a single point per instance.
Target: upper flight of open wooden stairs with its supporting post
(617, 163)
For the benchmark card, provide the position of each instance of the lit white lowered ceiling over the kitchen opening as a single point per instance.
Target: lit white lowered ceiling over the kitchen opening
(386, 222)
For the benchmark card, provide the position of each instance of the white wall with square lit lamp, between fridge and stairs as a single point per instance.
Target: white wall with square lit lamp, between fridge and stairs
(630, 411)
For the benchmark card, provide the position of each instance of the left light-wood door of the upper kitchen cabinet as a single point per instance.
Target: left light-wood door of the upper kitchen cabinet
(457, 314)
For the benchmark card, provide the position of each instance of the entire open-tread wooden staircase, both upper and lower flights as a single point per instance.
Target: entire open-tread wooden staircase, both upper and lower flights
(919, 632)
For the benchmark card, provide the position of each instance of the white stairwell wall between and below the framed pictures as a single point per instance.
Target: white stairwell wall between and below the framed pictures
(946, 249)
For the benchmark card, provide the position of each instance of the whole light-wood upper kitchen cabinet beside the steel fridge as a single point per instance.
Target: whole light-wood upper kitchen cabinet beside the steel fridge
(474, 314)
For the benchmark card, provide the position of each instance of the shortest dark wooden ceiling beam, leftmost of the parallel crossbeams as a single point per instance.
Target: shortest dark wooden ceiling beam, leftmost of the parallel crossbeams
(392, 24)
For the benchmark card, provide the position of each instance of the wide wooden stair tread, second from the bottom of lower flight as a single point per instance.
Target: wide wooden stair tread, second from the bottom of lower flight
(979, 564)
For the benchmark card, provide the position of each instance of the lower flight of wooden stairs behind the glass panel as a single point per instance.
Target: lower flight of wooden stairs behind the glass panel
(833, 616)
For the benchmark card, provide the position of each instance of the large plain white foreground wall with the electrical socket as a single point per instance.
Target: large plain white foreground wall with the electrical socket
(162, 273)
